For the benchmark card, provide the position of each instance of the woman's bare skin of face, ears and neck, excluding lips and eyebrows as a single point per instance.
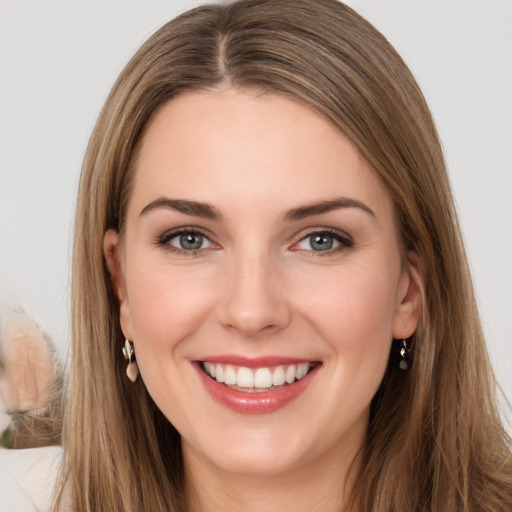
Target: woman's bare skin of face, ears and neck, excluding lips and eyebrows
(256, 287)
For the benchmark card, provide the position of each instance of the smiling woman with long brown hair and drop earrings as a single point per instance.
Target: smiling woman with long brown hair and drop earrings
(263, 209)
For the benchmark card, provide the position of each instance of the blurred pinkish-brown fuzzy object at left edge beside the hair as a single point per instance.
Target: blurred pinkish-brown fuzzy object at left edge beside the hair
(30, 383)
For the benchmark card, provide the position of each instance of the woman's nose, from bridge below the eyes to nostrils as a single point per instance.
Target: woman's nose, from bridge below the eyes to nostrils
(254, 301)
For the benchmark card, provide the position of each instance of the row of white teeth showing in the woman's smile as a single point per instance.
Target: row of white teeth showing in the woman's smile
(254, 380)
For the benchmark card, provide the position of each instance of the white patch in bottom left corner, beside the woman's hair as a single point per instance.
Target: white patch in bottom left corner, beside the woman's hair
(27, 478)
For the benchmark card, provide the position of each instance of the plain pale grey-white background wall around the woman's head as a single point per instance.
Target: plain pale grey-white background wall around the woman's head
(58, 59)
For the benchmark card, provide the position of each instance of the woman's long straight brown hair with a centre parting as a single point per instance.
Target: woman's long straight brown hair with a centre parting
(435, 441)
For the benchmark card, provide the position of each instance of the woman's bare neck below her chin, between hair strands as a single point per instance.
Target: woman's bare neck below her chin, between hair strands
(320, 485)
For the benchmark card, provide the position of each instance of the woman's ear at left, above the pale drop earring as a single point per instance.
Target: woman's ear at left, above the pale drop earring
(113, 257)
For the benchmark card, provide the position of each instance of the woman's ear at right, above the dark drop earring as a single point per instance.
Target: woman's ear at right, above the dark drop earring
(409, 299)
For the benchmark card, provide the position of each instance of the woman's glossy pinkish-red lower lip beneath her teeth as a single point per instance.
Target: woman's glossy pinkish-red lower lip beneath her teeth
(256, 402)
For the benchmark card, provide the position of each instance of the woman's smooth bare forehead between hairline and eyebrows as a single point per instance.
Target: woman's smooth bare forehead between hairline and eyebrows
(266, 148)
